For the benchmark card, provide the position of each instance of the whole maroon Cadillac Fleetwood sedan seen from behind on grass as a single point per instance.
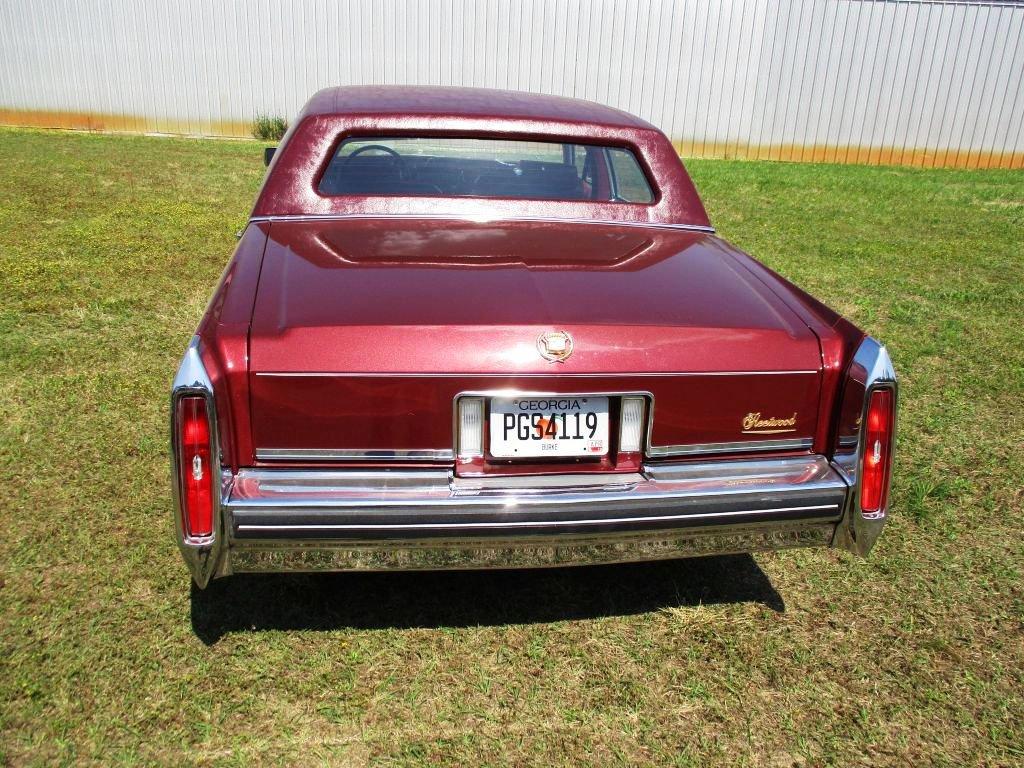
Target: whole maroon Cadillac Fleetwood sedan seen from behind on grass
(473, 329)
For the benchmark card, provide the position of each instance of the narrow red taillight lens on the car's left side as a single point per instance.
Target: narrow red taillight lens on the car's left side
(195, 473)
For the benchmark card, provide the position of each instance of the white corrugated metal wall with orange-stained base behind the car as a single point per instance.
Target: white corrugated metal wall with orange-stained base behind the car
(877, 81)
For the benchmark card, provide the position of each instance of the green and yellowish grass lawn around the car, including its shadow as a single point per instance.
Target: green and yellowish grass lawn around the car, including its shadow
(109, 250)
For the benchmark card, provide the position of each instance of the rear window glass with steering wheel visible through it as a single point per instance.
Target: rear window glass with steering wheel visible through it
(486, 168)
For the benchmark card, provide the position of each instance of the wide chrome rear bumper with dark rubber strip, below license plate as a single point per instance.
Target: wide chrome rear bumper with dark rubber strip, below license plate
(278, 521)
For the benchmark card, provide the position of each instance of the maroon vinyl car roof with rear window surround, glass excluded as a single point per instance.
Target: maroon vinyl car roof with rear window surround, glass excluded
(290, 188)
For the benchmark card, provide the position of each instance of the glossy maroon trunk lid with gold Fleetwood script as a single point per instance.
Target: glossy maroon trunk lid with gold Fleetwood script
(366, 329)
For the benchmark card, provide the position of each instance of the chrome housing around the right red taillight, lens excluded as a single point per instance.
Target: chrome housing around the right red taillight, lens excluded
(872, 369)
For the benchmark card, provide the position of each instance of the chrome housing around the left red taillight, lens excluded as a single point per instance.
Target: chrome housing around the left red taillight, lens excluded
(201, 553)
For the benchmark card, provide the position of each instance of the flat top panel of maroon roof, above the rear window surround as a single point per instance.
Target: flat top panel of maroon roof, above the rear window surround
(441, 102)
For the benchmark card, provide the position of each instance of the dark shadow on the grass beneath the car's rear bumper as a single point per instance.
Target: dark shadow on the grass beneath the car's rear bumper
(407, 601)
